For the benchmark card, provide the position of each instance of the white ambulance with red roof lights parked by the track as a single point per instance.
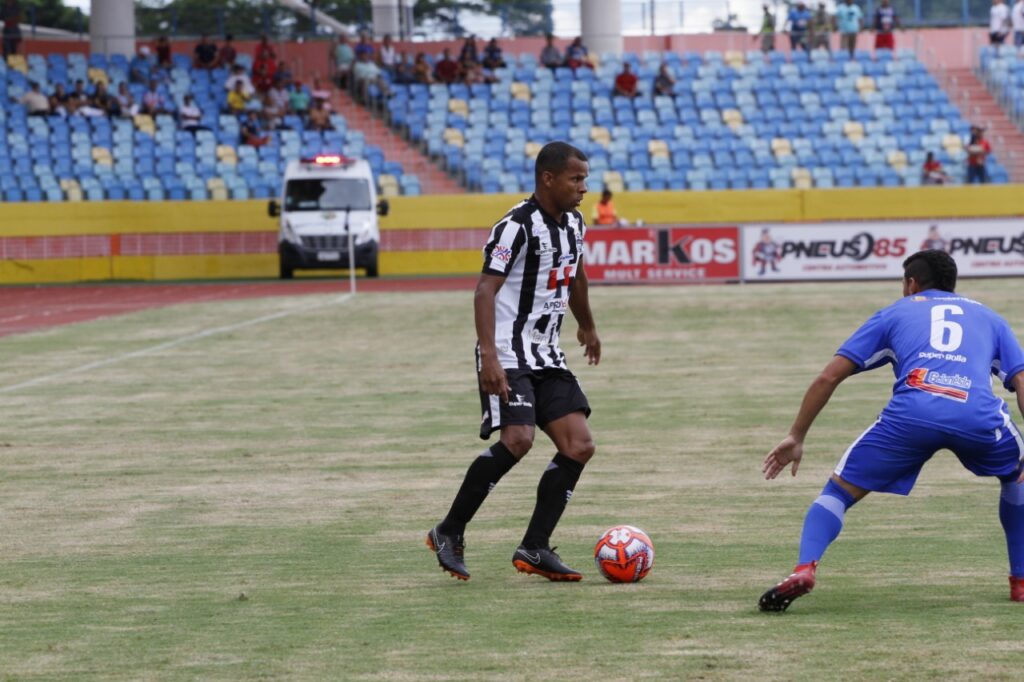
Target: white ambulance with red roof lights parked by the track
(327, 203)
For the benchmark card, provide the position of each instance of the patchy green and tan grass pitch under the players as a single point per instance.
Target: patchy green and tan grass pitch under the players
(252, 505)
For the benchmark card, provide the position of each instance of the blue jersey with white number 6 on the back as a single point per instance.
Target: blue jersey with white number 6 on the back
(944, 349)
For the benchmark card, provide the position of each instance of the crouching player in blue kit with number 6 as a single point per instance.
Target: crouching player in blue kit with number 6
(944, 349)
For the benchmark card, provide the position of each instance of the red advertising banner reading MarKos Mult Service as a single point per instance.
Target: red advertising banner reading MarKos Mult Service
(662, 255)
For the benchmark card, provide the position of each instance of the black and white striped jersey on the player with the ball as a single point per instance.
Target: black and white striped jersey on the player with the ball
(538, 258)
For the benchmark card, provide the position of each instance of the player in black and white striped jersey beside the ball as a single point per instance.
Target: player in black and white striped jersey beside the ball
(533, 274)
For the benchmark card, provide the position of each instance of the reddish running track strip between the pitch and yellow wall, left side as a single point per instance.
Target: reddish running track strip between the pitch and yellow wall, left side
(30, 309)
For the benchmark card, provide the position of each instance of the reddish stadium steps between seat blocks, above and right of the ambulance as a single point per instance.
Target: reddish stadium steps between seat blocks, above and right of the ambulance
(434, 181)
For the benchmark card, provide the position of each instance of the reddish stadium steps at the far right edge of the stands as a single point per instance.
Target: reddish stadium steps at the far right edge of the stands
(978, 106)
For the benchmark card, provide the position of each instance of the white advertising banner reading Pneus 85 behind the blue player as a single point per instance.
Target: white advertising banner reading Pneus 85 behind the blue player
(877, 250)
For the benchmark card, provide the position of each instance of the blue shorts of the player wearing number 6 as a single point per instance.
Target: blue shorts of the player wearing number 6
(888, 457)
